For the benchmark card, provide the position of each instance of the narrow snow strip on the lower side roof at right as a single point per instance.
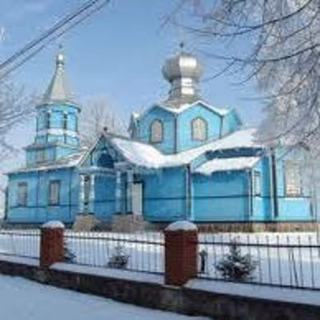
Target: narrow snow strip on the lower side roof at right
(227, 164)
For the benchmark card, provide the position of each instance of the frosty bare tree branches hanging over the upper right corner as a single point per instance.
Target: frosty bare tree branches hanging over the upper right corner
(276, 44)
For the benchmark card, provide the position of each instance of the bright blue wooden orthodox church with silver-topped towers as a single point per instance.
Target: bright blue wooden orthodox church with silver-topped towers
(185, 159)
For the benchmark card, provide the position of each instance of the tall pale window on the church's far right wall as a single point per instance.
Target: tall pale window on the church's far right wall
(292, 179)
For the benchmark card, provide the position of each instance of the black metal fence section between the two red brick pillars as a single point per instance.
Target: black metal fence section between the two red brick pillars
(143, 252)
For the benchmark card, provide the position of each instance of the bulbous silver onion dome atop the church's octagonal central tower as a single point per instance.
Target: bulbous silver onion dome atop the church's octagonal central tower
(183, 71)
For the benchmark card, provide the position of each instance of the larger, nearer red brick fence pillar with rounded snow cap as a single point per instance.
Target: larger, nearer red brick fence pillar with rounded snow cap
(181, 252)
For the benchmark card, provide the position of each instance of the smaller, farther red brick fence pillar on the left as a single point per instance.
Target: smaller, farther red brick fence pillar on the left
(51, 243)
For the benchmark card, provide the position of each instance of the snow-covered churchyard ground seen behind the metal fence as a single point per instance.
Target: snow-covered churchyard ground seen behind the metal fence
(283, 258)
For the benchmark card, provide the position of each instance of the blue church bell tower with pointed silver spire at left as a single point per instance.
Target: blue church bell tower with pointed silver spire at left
(57, 133)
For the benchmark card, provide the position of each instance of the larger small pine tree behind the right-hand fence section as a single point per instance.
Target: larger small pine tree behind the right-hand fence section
(235, 266)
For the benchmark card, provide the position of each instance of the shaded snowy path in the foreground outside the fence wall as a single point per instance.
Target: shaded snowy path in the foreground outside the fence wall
(27, 300)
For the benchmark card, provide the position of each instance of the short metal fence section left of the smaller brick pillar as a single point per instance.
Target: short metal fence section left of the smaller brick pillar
(21, 243)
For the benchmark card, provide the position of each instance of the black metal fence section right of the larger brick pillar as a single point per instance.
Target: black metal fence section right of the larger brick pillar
(277, 260)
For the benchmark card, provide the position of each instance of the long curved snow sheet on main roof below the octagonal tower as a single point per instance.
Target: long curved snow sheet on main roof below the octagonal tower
(145, 155)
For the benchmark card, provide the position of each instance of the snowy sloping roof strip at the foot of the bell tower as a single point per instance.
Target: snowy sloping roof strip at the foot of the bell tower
(65, 162)
